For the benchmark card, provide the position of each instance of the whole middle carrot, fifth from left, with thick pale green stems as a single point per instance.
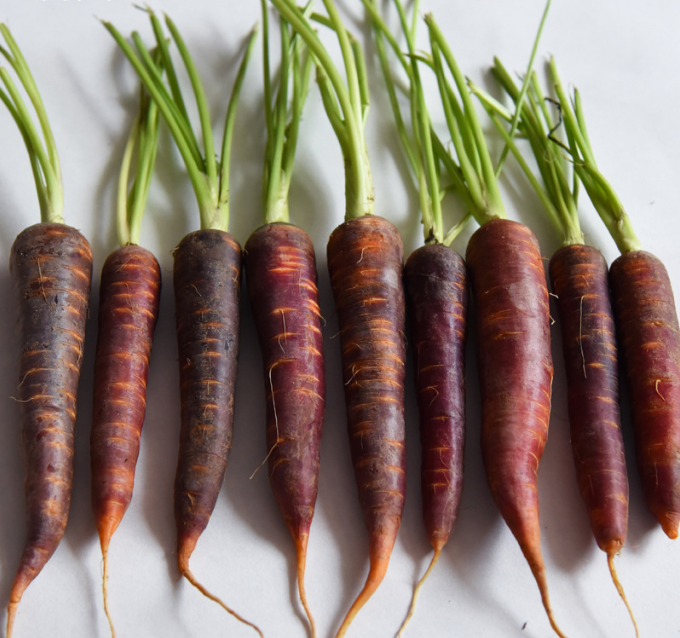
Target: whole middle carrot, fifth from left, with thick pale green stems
(365, 260)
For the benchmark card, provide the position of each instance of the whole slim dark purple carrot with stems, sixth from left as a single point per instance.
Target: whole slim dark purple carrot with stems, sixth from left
(435, 283)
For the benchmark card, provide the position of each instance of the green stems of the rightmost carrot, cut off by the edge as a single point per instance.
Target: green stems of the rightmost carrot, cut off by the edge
(604, 198)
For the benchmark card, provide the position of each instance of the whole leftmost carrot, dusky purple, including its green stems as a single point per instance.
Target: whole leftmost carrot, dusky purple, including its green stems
(51, 269)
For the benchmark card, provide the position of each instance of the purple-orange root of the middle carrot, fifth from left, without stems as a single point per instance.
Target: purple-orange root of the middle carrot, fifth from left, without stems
(365, 261)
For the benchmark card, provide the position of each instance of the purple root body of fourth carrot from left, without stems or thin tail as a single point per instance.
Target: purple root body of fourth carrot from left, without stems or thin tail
(282, 288)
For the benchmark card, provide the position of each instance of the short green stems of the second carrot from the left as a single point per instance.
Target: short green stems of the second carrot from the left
(144, 139)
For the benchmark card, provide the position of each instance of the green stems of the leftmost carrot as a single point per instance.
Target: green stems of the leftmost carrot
(42, 154)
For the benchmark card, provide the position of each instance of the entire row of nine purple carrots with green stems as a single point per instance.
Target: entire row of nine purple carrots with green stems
(51, 266)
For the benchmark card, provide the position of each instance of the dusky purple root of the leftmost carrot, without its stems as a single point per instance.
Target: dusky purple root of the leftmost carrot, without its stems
(51, 268)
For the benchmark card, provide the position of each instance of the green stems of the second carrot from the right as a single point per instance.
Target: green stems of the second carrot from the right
(558, 196)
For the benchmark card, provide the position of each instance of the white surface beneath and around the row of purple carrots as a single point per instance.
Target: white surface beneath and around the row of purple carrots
(624, 58)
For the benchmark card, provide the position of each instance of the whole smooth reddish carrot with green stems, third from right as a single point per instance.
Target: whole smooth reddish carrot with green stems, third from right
(512, 317)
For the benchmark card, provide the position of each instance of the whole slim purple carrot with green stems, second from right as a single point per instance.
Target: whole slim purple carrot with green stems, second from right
(579, 277)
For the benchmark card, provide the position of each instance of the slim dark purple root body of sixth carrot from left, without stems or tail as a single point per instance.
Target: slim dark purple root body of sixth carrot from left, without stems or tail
(435, 282)
